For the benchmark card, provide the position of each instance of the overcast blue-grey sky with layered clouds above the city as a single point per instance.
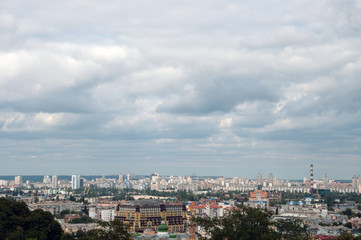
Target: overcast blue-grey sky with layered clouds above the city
(228, 88)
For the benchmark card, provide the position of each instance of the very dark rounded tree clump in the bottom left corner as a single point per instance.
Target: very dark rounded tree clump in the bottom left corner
(18, 222)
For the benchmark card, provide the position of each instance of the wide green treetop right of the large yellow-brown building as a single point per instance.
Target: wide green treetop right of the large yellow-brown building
(251, 224)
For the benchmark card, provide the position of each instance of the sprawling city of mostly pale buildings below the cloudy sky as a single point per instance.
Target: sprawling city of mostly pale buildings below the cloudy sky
(167, 204)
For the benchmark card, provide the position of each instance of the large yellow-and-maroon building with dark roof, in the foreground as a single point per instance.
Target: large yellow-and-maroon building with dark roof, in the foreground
(142, 215)
